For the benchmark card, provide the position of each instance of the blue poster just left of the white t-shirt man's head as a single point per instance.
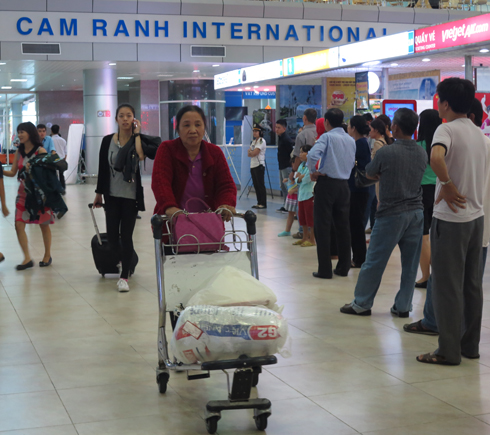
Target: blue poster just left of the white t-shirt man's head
(414, 86)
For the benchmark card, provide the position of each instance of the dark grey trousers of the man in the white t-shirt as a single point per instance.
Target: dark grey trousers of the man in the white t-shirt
(456, 256)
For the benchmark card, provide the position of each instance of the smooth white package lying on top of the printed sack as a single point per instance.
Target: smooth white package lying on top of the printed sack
(230, 286)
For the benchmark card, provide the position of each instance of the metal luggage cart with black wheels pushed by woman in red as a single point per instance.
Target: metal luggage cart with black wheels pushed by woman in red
(247, 369)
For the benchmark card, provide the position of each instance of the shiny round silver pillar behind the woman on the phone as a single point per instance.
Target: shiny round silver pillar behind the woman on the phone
(99, 110)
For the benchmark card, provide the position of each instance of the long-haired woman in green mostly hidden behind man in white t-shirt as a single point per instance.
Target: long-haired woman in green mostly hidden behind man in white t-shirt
(429, 121)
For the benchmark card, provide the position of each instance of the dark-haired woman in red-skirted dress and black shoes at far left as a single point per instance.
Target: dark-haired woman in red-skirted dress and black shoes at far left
(30, 146)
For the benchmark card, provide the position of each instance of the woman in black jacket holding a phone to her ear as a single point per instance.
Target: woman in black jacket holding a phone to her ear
(123, 196)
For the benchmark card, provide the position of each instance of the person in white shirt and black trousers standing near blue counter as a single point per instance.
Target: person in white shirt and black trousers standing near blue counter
(256, 152)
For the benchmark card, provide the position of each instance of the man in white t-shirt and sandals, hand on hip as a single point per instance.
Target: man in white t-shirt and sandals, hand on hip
(460, 159)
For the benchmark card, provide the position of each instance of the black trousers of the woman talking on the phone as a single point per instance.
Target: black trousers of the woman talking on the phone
(120, 218)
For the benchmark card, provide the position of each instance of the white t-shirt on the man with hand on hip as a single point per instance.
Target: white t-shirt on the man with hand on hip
(467, 159)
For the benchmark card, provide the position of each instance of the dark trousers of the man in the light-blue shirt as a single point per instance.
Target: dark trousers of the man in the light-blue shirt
(332, 206)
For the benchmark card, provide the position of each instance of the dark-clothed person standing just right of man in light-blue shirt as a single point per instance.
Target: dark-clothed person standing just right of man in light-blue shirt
(358, 129)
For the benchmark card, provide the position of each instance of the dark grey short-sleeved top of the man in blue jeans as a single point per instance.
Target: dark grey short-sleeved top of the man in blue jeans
(401, 167)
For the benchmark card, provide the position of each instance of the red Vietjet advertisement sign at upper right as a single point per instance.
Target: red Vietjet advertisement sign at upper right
(453, 34)
